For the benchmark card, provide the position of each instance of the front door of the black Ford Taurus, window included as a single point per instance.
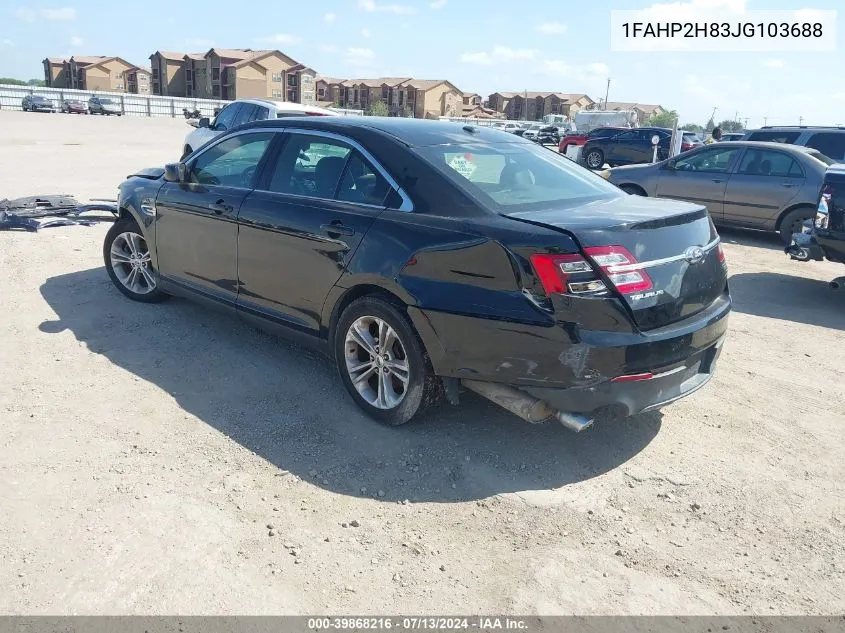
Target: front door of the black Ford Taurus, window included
(196, 221)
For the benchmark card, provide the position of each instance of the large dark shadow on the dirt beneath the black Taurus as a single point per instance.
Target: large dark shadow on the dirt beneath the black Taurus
(287, 405)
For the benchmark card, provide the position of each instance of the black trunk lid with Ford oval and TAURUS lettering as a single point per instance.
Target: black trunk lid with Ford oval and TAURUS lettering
(672, 245)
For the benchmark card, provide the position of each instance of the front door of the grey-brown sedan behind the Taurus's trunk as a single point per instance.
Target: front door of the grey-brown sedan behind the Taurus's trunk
(700, 177)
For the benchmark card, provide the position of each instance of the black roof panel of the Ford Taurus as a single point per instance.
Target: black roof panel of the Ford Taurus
(411, 132)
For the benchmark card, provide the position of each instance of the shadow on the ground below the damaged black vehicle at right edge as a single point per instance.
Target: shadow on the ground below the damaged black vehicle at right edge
(789, 298)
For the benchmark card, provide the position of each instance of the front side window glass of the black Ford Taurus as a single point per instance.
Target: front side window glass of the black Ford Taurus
(232, 162)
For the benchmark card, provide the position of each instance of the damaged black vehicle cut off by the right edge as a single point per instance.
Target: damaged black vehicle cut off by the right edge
(824, 236)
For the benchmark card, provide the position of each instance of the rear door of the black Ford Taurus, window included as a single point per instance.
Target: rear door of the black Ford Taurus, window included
(301, 226)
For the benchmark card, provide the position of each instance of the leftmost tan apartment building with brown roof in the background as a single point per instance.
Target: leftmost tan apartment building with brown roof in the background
(94, 72)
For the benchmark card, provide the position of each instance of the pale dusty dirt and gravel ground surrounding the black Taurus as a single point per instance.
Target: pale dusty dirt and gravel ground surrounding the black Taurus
(147, 450)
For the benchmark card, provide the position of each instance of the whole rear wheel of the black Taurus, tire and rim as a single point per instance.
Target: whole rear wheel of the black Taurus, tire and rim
(382, 361)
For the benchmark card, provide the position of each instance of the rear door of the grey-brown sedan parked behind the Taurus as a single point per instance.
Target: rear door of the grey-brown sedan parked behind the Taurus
(763, 185)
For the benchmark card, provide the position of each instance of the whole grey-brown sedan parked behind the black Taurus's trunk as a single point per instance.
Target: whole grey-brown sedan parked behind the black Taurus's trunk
(766, 186)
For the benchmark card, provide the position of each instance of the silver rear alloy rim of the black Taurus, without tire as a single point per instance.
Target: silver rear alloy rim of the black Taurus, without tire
(377, 362)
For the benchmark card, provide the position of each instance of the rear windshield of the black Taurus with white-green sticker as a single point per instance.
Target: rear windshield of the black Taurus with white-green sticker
(516, 174)
